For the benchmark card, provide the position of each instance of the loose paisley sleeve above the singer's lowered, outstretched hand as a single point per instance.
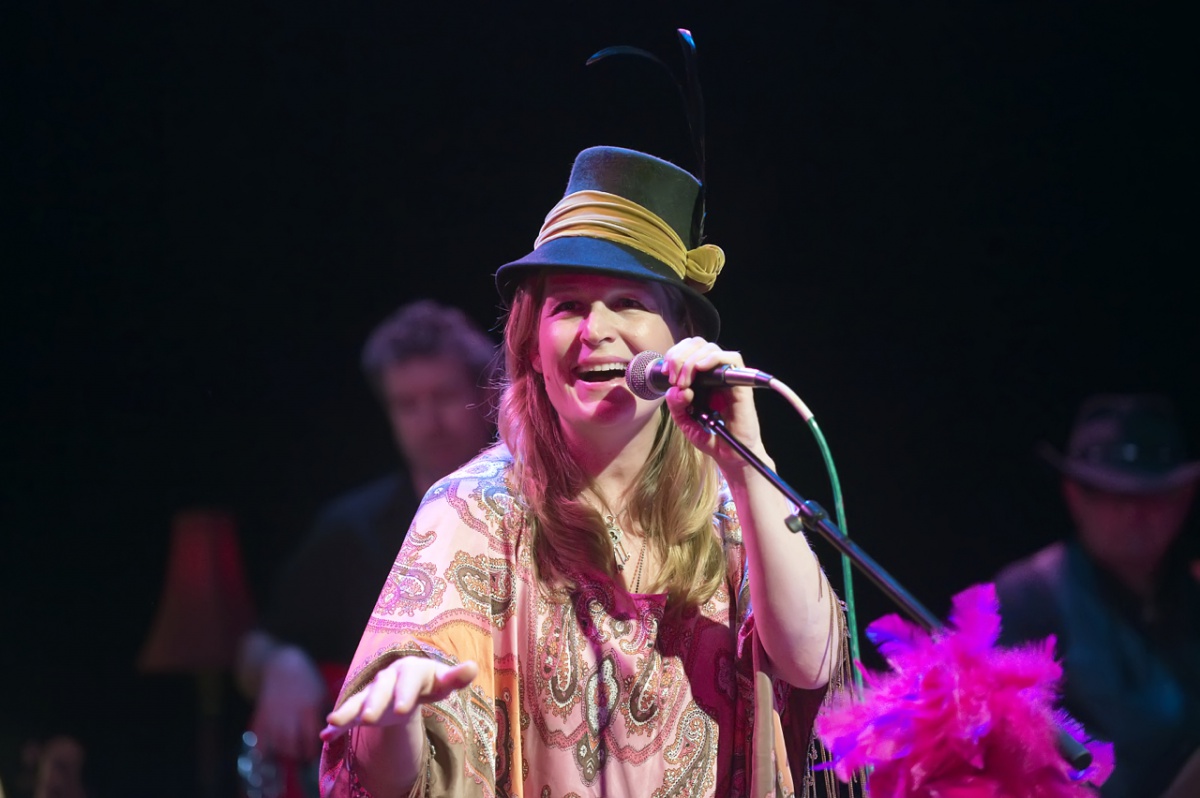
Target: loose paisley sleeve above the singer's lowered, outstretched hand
(448, 591)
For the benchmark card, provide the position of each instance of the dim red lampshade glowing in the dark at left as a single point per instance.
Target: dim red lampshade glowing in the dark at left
(206, 605)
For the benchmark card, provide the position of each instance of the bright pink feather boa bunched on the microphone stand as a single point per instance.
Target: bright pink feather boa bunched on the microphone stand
(958, 717)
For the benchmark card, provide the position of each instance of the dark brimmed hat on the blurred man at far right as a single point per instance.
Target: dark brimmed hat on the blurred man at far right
(1126, 443)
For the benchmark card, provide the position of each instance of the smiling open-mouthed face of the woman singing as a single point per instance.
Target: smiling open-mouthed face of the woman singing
(590, 328)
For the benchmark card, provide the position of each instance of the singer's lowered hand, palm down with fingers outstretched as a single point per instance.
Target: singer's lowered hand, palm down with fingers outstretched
(397, 693)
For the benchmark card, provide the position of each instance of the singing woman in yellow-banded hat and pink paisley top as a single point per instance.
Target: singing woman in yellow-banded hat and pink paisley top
(608, 603)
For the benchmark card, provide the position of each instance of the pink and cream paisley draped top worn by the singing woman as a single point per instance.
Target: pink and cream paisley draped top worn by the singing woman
(595, 694)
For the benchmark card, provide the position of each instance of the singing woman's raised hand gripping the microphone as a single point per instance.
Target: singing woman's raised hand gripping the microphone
(689, 358)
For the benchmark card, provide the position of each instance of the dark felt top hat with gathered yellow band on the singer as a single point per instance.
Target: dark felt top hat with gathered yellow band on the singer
(628, 214)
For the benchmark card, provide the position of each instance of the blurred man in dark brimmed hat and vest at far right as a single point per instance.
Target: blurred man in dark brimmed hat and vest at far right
(1120, 597)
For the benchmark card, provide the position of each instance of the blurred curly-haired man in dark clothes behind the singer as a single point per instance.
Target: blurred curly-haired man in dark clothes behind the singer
(431, 370)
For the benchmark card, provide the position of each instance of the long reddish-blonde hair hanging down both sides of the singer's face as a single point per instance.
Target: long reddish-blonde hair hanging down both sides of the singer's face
(675, 496)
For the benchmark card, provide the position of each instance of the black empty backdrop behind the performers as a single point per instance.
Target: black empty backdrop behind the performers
(946, 224)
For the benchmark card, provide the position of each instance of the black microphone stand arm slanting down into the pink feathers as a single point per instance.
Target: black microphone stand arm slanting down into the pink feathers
(814, 518)
